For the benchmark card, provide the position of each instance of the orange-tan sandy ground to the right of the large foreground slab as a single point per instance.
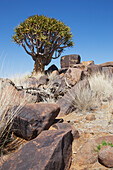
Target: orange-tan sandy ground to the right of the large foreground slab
(97, 130)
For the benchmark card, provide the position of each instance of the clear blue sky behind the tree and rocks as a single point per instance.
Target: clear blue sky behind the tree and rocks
(91, 22)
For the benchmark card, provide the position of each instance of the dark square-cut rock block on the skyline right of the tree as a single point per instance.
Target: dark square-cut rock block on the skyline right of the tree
(70, 60)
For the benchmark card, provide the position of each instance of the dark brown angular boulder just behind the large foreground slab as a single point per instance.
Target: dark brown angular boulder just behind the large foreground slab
(33, 119)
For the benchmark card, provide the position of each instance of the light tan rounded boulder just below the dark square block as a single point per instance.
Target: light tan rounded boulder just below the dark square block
(73, 75)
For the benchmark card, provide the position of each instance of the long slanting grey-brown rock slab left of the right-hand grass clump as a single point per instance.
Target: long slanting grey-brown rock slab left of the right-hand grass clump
(66, 102)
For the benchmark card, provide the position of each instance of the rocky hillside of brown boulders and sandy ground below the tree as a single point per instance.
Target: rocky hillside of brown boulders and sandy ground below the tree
(57, 135)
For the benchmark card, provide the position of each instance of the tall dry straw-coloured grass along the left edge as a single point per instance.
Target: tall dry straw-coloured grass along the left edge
(10, 105)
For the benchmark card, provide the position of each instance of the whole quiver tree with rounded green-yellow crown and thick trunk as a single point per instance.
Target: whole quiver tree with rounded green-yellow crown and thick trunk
(42, 38)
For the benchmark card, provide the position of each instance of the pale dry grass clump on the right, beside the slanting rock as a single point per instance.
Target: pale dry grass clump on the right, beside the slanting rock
(100, 90)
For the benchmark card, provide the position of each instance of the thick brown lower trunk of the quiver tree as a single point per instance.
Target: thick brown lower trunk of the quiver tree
(38, 67)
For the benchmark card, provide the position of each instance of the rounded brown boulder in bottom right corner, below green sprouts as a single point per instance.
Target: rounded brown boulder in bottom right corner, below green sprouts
(105, 156)
